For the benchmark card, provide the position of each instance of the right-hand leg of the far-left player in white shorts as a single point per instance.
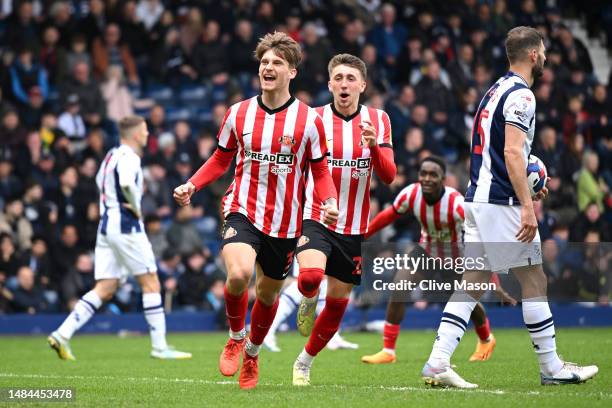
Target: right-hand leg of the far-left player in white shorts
(156, 319)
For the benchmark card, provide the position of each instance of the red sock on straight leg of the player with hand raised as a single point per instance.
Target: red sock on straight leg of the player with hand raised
(326, 325)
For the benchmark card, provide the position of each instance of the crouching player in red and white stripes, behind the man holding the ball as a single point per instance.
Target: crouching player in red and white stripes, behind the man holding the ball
(439, 210)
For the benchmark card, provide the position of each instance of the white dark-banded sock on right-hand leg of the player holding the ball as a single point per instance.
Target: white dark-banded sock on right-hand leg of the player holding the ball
(541, 328)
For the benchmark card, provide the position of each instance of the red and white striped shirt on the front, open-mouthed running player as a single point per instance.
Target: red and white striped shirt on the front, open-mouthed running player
(273, 147)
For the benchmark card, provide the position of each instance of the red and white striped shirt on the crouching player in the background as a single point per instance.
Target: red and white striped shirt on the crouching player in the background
(441, 222)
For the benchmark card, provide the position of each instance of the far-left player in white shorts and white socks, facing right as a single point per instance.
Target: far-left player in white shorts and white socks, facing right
(122, 247)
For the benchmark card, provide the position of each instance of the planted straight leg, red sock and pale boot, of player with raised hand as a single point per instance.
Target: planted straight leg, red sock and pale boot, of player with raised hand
(326, 325)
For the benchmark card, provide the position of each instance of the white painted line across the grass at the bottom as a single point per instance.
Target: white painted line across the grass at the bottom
(341, 386)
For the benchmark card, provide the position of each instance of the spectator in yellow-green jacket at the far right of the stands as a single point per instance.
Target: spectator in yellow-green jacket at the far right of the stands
(590, 186)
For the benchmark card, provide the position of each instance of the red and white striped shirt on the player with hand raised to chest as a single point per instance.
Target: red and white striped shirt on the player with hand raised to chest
(350, 165)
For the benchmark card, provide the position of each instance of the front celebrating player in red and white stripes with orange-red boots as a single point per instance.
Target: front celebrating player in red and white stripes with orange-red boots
(274, 137)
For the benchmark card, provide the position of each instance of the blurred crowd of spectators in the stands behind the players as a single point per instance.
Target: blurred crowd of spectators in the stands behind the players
(71, 68)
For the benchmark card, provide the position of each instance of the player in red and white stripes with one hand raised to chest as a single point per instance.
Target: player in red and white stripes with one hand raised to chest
(359, 140)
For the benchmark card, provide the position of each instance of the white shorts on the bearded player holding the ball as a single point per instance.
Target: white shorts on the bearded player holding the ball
(490, 236)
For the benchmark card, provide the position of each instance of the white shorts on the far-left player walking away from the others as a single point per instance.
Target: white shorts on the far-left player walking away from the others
(119, 255)
